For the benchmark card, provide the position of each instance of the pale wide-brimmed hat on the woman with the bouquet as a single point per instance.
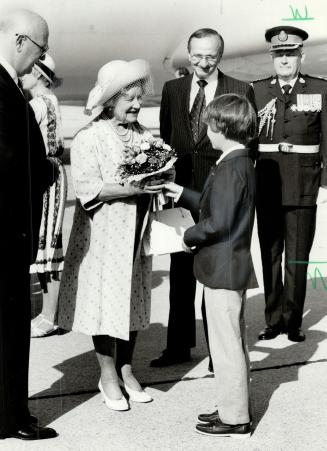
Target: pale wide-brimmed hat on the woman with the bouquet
(115, 76)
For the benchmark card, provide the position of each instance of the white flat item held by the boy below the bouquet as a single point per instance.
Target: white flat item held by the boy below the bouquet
(165, 230)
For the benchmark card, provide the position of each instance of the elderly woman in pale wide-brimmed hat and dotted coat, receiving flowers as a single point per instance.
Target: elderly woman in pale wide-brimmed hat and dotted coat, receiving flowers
(106, 283)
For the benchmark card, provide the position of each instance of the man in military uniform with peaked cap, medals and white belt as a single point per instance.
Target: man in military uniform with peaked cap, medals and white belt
(290, 168)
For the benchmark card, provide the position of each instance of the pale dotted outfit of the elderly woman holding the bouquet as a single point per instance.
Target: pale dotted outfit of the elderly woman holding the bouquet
(102, 292)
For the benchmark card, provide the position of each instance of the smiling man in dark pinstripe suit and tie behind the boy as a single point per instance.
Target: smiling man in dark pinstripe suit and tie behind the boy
(181, 126)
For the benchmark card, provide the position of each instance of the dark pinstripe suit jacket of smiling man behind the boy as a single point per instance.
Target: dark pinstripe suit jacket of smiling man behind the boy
(194, 159)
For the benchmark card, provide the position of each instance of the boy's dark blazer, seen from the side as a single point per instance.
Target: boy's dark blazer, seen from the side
(223, 234)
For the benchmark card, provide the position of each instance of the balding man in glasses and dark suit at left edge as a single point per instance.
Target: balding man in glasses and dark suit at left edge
(25, 174)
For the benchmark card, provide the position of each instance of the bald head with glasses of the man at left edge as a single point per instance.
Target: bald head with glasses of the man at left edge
(23, 38)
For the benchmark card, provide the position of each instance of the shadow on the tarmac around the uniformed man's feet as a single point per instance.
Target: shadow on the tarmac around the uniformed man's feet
(281, 363)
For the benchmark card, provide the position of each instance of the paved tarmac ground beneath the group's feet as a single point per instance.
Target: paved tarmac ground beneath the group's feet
(289, 380)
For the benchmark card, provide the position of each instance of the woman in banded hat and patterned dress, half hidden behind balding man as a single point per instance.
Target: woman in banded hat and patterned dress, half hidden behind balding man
(49, 260)
